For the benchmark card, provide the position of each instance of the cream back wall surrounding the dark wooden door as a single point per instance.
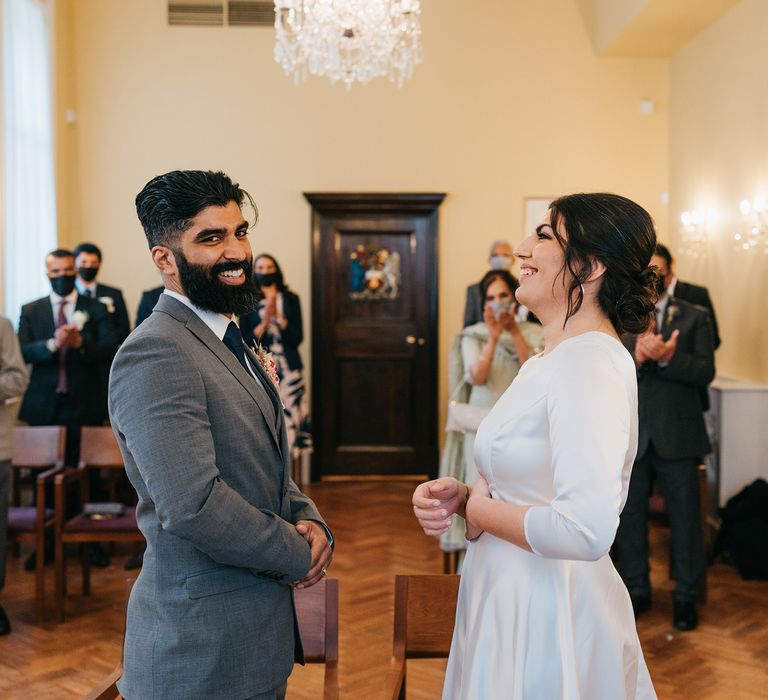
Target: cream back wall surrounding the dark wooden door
(510, 101)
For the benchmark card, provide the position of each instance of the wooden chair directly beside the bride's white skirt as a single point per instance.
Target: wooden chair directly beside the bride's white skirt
(425, 613)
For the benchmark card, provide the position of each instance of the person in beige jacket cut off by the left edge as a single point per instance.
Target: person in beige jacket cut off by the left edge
(13, 381)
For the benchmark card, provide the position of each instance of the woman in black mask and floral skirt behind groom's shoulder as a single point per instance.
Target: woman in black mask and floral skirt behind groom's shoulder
(276, 327)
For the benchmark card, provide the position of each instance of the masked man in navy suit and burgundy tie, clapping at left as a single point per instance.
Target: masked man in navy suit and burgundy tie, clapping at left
(66, 338)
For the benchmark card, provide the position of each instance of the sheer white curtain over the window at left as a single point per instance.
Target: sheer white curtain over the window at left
(29, 196)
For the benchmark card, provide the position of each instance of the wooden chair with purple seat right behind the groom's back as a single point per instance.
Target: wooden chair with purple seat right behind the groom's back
(98, 450)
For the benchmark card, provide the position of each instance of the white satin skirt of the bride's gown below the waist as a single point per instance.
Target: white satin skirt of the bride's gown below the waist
(532, 628)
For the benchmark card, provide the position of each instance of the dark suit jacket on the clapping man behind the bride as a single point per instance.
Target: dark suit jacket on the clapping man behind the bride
(669, 397)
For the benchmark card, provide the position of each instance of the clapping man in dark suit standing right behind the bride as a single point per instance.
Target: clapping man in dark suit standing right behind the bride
(674, 365)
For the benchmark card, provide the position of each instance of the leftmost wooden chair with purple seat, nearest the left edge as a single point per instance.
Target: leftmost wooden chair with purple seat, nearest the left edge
(36, 448)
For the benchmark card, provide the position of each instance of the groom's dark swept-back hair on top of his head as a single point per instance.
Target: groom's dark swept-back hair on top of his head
(168, 203)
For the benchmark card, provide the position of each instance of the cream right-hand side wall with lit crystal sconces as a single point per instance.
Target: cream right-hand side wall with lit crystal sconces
(718, 149)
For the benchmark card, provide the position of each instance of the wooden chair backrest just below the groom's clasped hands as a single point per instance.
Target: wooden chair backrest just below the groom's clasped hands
(317, 609)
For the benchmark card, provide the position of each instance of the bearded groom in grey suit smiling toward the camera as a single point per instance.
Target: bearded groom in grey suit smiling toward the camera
(201, 430)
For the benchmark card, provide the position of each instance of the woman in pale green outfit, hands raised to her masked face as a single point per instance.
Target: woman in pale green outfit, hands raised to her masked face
(484, 359)
